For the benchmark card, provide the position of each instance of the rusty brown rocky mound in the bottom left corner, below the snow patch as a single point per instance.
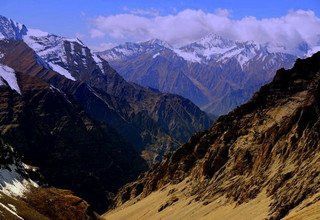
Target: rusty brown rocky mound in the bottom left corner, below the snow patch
(45, 204)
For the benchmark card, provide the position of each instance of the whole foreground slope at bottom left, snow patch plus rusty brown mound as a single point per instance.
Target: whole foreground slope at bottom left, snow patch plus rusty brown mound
(22, 198)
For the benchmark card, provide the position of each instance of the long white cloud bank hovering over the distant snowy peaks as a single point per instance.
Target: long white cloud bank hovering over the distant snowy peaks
(189, 25)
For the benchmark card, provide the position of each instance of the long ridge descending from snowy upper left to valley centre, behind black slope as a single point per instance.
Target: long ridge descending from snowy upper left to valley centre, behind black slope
(154, 122)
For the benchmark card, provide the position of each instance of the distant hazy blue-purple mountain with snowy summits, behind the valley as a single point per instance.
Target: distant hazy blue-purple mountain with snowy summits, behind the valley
(215, 73)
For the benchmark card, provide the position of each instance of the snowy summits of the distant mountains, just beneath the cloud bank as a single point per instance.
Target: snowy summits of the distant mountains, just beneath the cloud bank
(209, 49)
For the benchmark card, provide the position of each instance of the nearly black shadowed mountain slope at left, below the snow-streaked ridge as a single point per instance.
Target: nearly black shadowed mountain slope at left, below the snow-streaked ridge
(52, 132)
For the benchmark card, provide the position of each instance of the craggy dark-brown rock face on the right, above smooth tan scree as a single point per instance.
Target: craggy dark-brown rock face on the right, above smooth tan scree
(271, 143)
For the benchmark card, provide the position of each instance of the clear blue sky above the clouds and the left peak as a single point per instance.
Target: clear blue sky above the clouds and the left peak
(79, 17)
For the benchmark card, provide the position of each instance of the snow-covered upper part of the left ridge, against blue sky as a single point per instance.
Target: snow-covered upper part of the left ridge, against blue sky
(54, 51)
